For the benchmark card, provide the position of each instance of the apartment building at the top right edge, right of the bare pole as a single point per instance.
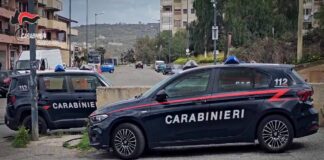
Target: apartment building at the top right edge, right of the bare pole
(311, 7)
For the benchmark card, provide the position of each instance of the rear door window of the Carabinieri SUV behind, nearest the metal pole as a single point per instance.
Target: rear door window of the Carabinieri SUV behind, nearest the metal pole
(54, 83)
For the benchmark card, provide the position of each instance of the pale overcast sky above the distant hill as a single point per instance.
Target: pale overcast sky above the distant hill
(115, 11)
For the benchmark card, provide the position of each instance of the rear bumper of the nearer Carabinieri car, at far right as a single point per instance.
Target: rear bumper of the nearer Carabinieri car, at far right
(308, 124)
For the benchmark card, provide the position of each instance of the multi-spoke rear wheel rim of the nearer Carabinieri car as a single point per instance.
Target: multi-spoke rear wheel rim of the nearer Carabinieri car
(275, 134)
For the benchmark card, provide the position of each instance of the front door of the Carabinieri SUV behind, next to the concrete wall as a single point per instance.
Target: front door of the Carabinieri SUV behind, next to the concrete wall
(84, 92)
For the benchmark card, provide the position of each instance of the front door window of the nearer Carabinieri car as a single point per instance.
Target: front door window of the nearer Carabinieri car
(189, 85)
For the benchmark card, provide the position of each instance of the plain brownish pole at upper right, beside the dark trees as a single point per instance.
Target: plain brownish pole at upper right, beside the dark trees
(300, 30)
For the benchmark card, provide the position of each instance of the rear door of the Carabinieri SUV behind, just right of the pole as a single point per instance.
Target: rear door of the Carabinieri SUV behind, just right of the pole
(55, 97)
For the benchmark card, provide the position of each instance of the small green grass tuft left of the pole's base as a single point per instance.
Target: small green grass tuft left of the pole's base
(21, 139)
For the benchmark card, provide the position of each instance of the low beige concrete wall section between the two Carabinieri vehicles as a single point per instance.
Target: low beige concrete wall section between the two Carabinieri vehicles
(115, 94)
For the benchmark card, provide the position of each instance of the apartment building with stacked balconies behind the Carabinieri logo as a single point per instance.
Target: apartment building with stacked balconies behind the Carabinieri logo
(54, 26)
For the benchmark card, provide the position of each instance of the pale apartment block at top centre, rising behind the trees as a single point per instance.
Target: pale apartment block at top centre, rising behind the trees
(176, 14)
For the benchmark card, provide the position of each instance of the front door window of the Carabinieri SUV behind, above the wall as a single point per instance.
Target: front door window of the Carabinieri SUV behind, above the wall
(85, 83)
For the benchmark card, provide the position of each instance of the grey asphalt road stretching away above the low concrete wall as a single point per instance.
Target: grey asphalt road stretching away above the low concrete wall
(129, 76)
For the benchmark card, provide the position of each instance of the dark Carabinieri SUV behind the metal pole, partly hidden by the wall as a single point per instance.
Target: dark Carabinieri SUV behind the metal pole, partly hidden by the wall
(66, 99)
